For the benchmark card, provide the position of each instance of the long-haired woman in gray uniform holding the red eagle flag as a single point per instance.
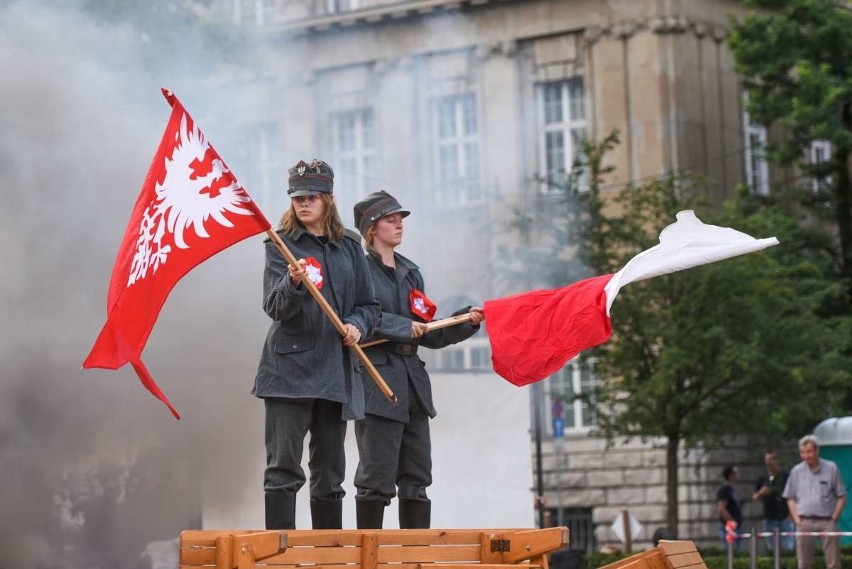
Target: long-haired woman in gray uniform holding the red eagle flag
(307, 375)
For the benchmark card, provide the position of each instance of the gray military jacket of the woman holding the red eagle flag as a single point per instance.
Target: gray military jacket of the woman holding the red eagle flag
(304, 355)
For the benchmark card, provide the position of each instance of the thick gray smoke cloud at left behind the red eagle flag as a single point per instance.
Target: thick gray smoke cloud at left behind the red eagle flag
(94, 467)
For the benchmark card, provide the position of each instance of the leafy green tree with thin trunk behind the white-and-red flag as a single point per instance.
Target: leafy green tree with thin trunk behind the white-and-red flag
(745, 346)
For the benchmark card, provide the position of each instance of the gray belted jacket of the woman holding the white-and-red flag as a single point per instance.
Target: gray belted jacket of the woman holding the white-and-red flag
(405, 374)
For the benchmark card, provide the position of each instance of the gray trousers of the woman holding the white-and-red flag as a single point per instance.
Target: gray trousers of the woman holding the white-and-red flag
(394, 454)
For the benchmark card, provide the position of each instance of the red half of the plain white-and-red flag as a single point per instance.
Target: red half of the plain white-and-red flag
(533, 334)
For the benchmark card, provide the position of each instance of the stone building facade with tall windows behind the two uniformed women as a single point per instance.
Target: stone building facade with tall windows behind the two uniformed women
(469, 109)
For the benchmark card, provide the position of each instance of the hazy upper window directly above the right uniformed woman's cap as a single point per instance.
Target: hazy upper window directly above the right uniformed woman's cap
(355, 150)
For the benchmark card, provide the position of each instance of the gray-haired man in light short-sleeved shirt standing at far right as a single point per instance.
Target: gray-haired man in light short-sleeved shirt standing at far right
(816, 496)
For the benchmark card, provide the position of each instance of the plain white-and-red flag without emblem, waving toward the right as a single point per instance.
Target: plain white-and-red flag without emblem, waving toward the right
(533, 334)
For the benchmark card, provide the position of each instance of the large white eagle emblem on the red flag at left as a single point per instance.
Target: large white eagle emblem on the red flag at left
(197, 186)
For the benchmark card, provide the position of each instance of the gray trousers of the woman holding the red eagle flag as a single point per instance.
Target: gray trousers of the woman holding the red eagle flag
(287, 423)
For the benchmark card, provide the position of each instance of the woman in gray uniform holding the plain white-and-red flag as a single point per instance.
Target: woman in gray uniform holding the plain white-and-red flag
(393, 439)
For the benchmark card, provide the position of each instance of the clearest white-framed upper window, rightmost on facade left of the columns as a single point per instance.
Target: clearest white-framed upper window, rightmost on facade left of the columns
(562, 112)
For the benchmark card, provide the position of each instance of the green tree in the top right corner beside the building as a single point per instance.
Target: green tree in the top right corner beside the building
(797, 58)
